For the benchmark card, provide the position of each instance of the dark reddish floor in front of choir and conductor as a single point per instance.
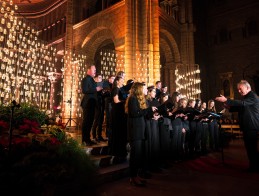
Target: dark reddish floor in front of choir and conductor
(211, 175)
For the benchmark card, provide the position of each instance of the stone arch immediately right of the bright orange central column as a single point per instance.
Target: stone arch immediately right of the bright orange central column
(170, 51)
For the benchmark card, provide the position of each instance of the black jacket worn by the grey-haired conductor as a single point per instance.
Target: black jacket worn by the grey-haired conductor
(248, 111)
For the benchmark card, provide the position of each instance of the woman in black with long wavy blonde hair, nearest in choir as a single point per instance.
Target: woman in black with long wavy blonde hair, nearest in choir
(137, 109)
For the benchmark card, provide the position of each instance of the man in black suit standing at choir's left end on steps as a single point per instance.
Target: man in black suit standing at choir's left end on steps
(89, 103)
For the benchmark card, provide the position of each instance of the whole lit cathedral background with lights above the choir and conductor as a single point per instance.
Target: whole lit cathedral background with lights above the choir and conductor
(200, 48)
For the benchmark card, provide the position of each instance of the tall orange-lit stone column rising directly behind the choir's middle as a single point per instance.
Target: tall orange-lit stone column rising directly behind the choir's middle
(142, 38)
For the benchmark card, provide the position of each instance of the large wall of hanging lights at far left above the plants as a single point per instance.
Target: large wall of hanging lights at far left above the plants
(25, 60)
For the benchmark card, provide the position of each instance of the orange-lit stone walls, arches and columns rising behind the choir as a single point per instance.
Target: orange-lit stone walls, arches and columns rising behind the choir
(149, 38)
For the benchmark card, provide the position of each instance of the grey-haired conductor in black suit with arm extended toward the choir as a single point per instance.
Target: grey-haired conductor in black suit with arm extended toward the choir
(248, 112)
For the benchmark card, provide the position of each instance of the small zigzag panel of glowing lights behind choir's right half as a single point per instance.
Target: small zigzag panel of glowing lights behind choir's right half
(188, 80)
